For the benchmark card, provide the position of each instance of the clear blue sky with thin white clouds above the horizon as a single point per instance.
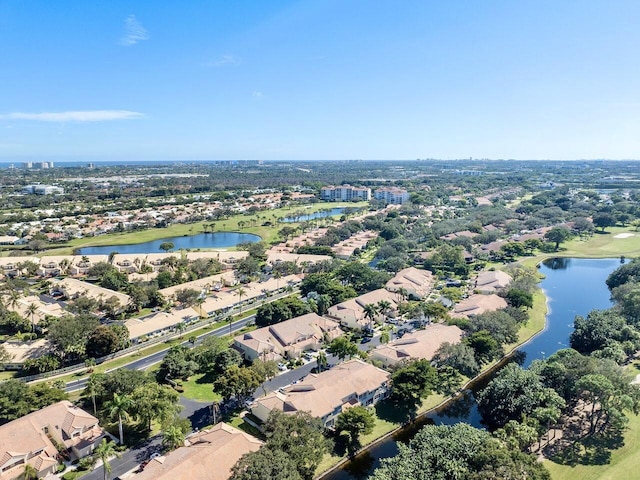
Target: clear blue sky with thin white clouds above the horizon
(322, 79)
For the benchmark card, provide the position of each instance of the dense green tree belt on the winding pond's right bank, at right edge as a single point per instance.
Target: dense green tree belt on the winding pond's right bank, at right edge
(585, 386)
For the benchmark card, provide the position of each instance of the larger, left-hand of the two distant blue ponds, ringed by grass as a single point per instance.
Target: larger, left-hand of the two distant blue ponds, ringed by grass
(202, 240)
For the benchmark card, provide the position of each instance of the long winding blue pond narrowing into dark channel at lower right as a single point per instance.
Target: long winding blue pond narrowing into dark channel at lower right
(573, 287)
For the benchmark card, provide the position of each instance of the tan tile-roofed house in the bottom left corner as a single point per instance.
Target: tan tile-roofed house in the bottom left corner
(39, 438)
